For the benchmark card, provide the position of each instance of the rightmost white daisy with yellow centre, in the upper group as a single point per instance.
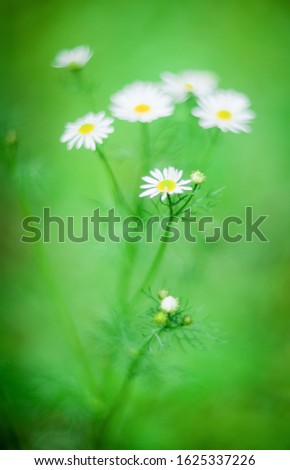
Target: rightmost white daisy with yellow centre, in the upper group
(227, 110)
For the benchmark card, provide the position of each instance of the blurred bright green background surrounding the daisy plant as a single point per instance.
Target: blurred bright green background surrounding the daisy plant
(234, 393)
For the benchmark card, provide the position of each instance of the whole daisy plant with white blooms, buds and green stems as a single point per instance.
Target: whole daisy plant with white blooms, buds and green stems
(145, 102)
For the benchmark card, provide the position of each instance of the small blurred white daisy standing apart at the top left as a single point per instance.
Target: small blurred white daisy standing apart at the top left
(73, 59)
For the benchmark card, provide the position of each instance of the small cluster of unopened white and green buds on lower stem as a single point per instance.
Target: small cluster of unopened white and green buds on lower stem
(170, 314)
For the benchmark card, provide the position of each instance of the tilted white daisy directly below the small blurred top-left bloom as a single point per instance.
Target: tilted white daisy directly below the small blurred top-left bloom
(87, 131)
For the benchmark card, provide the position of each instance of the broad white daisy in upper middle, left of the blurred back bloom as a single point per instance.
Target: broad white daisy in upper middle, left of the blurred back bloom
(141, 101)
